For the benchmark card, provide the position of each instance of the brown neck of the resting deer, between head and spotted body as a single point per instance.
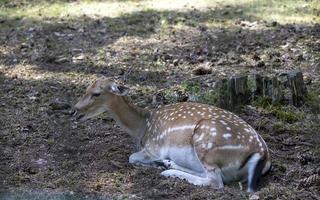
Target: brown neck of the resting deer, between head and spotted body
(129, 117)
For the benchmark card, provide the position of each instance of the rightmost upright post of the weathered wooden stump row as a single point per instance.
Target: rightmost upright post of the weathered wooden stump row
(298, 89)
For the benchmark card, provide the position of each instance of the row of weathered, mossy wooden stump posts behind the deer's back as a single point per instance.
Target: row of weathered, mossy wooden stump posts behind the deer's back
(236, 92)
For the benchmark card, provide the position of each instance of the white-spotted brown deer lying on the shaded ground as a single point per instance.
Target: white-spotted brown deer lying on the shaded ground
(202, 144)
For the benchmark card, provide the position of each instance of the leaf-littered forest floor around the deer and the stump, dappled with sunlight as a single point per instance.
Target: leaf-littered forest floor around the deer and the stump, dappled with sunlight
(52, 50)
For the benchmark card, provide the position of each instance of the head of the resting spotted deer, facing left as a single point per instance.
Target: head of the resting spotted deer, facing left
(98, 98)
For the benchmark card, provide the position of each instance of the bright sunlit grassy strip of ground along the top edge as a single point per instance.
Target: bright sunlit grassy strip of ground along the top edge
(282, 11)
